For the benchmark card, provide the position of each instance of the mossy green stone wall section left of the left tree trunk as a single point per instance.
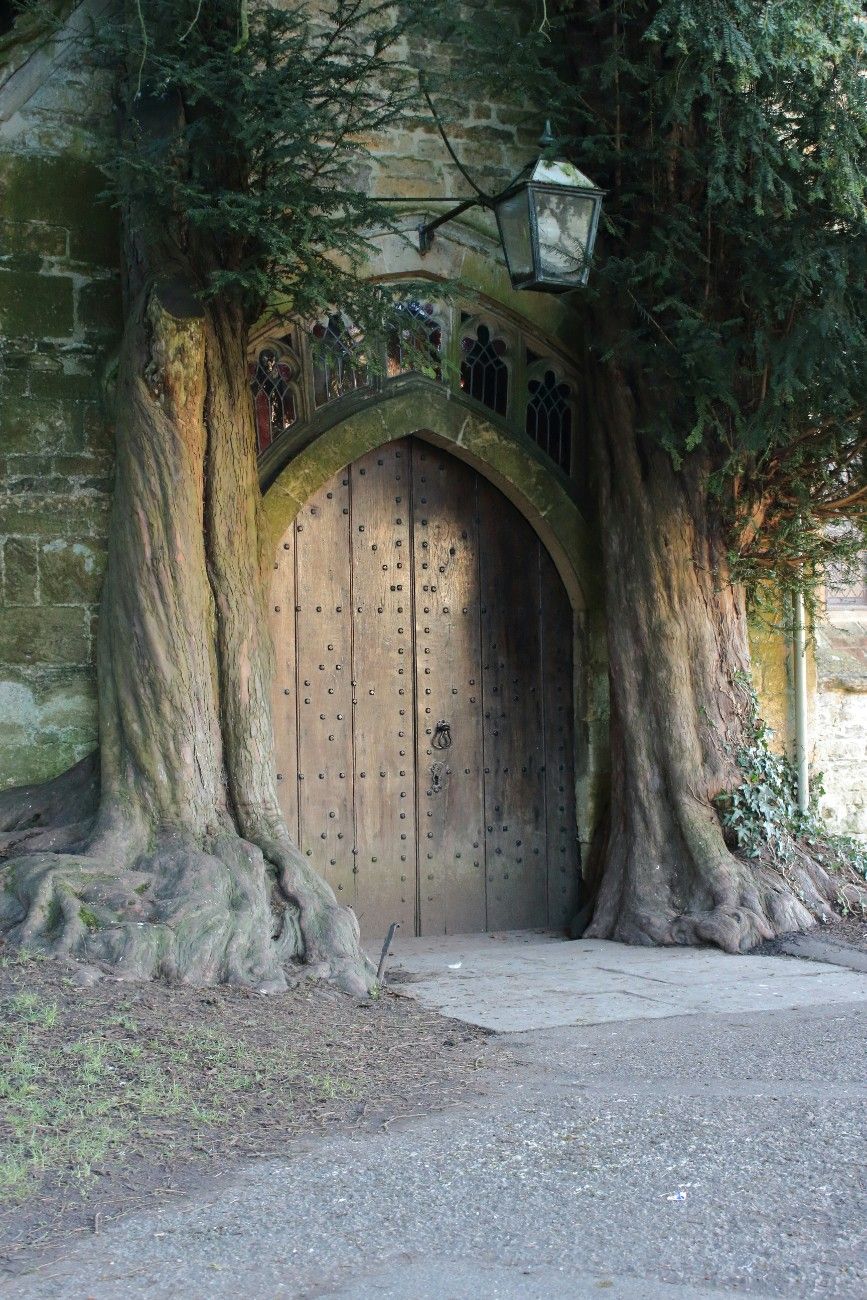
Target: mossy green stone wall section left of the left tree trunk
(59, 322)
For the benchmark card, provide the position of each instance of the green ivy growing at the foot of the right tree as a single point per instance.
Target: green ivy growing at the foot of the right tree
(762, 820)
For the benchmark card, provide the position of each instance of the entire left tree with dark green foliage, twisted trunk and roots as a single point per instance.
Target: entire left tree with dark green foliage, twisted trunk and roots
(239, 131)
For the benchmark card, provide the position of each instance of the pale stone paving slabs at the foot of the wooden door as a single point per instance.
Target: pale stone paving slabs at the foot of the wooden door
(523, 981)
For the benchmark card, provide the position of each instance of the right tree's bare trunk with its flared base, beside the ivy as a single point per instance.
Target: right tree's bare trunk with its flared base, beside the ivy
(679, 669)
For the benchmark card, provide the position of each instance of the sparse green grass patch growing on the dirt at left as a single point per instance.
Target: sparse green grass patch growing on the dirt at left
(67, 1106)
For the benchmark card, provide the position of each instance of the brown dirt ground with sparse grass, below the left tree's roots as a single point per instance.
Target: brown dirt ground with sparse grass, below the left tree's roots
(115, 1095)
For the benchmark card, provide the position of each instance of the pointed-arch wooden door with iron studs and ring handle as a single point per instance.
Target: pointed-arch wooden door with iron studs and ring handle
(423, 700)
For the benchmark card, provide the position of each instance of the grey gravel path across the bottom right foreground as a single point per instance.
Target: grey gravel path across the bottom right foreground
(687, 1158)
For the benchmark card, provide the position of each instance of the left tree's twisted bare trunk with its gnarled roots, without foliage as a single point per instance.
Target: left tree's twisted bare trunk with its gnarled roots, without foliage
(187, 868)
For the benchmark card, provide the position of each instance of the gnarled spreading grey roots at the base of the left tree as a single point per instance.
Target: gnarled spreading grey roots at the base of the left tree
(188, 913)
